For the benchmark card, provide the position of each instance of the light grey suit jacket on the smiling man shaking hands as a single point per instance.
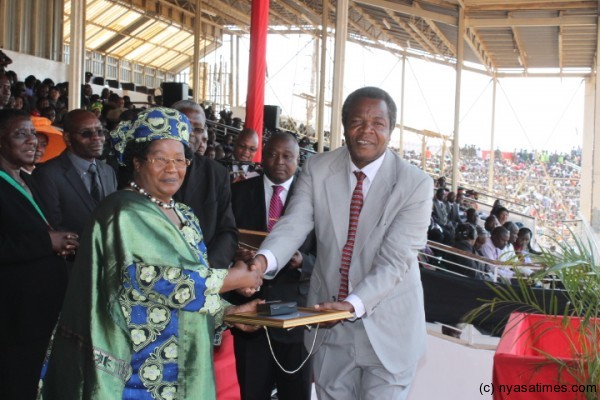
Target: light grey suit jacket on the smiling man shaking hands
(384, 271)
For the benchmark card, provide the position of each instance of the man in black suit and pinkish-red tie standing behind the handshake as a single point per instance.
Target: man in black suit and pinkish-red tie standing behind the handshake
(256, 207)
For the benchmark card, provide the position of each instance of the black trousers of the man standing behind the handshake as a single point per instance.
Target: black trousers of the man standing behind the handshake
(258, 373)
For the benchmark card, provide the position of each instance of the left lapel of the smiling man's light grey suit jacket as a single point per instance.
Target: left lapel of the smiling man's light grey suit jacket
(338, 193)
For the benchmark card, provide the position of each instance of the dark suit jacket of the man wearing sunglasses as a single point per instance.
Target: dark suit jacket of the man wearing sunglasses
(66, 201)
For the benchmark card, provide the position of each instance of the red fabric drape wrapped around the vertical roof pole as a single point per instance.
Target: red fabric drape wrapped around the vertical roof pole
(255, 101)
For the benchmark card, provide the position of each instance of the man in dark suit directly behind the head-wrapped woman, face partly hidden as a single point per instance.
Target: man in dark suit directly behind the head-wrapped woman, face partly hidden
(206, 189)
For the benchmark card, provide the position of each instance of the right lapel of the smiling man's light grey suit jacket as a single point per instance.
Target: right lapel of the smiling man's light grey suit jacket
(374, 204)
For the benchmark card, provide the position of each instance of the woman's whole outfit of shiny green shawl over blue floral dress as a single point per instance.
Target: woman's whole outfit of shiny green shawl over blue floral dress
(146, 329)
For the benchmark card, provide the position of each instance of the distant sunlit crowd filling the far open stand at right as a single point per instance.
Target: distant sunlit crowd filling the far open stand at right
(536, 184)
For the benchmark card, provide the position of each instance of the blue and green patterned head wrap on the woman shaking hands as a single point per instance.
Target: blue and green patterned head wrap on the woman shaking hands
(152, 124)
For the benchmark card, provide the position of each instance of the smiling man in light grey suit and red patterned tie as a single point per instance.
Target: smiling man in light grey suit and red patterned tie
(366, 261)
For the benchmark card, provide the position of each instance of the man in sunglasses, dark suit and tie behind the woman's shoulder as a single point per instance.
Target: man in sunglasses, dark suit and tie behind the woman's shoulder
(72, 184)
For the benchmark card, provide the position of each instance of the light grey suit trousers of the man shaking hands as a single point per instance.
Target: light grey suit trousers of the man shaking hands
(346, 367)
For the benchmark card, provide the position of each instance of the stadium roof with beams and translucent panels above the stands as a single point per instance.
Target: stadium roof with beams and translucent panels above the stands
(516, 37)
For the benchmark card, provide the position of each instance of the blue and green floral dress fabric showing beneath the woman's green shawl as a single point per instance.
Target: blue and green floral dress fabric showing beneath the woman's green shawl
(150, 301)
